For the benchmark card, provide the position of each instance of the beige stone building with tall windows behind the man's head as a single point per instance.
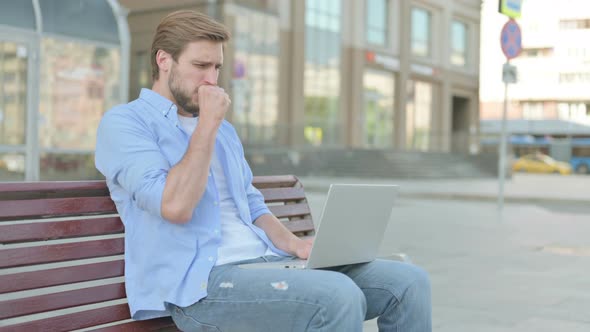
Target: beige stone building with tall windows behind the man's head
(376, 74)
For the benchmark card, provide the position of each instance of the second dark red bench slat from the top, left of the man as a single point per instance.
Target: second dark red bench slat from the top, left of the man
(55, 207)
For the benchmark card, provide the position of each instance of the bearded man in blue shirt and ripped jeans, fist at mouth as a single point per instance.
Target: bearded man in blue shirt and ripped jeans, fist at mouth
(176, 171)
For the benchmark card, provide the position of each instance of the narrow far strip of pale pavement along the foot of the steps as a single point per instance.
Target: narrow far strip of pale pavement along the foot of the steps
(521, 188)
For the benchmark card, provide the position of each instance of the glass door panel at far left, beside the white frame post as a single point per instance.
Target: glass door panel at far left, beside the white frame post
(17, 136)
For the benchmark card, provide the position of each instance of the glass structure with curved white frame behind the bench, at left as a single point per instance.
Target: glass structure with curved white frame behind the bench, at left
(63, 63)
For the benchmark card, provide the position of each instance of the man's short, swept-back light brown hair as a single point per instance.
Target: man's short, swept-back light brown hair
(180, 28)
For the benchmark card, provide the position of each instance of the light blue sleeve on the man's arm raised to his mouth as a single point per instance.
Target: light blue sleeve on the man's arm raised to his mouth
(128, 154)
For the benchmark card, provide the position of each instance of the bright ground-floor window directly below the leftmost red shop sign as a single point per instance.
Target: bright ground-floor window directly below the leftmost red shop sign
(378, 111)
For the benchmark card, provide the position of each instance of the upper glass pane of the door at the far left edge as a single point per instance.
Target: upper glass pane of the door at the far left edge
(13, 93)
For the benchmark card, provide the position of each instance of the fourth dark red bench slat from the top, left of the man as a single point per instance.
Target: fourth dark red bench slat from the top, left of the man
(60, 252)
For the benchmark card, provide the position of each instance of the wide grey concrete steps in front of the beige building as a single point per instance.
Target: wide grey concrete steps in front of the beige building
(371, 163)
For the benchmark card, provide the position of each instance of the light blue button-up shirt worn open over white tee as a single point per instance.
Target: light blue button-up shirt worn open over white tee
(137, 144)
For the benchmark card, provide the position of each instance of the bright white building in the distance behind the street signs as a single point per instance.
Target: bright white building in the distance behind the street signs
(551, 96)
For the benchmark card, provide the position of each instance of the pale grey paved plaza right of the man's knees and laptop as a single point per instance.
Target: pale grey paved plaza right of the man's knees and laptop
(525, 269)
